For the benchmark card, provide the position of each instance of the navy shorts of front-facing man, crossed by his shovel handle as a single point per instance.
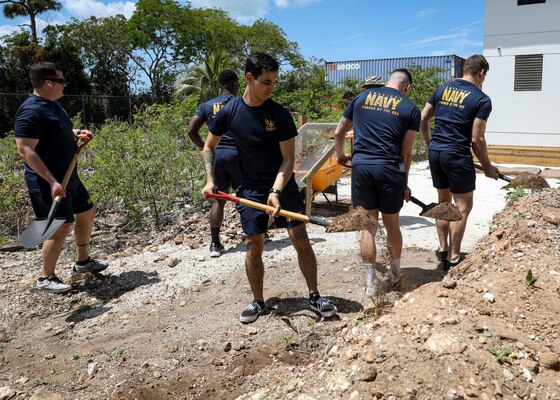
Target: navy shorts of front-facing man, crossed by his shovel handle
(255, 221)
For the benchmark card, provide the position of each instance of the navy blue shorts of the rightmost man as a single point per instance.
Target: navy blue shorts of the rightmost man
(453, 171)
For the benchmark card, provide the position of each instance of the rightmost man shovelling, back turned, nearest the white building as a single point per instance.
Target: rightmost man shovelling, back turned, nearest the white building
(461, 110)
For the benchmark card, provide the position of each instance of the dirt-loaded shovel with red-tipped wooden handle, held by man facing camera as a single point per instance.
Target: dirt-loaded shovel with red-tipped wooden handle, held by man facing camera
(351, 221)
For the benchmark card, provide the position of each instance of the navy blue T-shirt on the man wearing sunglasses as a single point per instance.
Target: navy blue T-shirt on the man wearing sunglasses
(46, 120)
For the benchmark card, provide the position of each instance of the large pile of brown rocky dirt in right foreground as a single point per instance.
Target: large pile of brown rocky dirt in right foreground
(486, 331)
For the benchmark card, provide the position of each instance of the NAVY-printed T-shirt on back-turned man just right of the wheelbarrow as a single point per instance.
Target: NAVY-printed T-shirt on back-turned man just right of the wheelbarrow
(381, 117)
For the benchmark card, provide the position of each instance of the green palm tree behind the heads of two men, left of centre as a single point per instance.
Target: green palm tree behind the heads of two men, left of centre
(203, 78)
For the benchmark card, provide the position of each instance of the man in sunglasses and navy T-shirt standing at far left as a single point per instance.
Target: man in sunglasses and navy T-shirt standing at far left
(46, 142)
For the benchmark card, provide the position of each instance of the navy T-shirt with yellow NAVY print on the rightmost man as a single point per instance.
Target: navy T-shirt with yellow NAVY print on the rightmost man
(457, 104)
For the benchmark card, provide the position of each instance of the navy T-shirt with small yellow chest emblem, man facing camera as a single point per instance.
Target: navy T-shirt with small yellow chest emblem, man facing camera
(257, 132)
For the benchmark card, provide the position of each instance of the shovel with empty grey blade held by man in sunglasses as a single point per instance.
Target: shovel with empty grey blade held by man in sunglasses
(42, 229)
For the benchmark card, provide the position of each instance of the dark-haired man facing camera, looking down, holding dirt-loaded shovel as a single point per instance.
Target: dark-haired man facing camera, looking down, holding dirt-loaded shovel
(264, 134)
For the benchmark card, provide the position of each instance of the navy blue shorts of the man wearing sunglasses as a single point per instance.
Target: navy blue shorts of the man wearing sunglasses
(76, 201)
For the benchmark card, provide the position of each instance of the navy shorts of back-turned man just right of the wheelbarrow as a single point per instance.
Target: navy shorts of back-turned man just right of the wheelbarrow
(379, 186)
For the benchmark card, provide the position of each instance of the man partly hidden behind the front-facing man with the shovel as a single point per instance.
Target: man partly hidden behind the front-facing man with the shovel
(227, 173)
